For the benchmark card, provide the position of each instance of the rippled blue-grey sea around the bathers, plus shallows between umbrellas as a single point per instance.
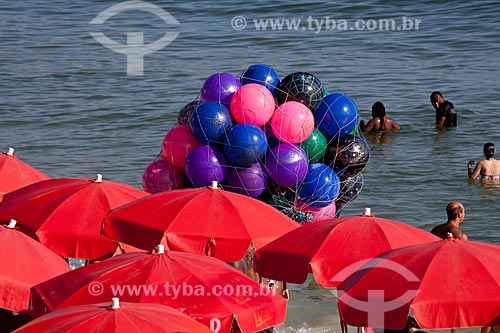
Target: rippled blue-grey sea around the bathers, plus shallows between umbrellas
(69, 107)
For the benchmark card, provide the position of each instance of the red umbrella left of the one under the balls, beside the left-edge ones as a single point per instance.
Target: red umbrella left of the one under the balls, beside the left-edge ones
(66, 214)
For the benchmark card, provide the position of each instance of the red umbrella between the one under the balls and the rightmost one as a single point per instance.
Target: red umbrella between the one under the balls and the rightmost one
(332, 249)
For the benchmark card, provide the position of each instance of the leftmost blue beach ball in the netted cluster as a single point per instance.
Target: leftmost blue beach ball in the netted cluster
(209, 122)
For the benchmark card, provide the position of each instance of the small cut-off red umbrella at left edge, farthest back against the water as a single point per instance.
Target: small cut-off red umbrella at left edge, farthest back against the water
(15, 174)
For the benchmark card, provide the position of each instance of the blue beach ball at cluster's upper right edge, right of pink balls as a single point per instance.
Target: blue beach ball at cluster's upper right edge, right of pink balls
(337, 115)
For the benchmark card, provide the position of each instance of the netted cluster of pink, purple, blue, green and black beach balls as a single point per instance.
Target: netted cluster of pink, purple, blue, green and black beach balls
(287, 142)
